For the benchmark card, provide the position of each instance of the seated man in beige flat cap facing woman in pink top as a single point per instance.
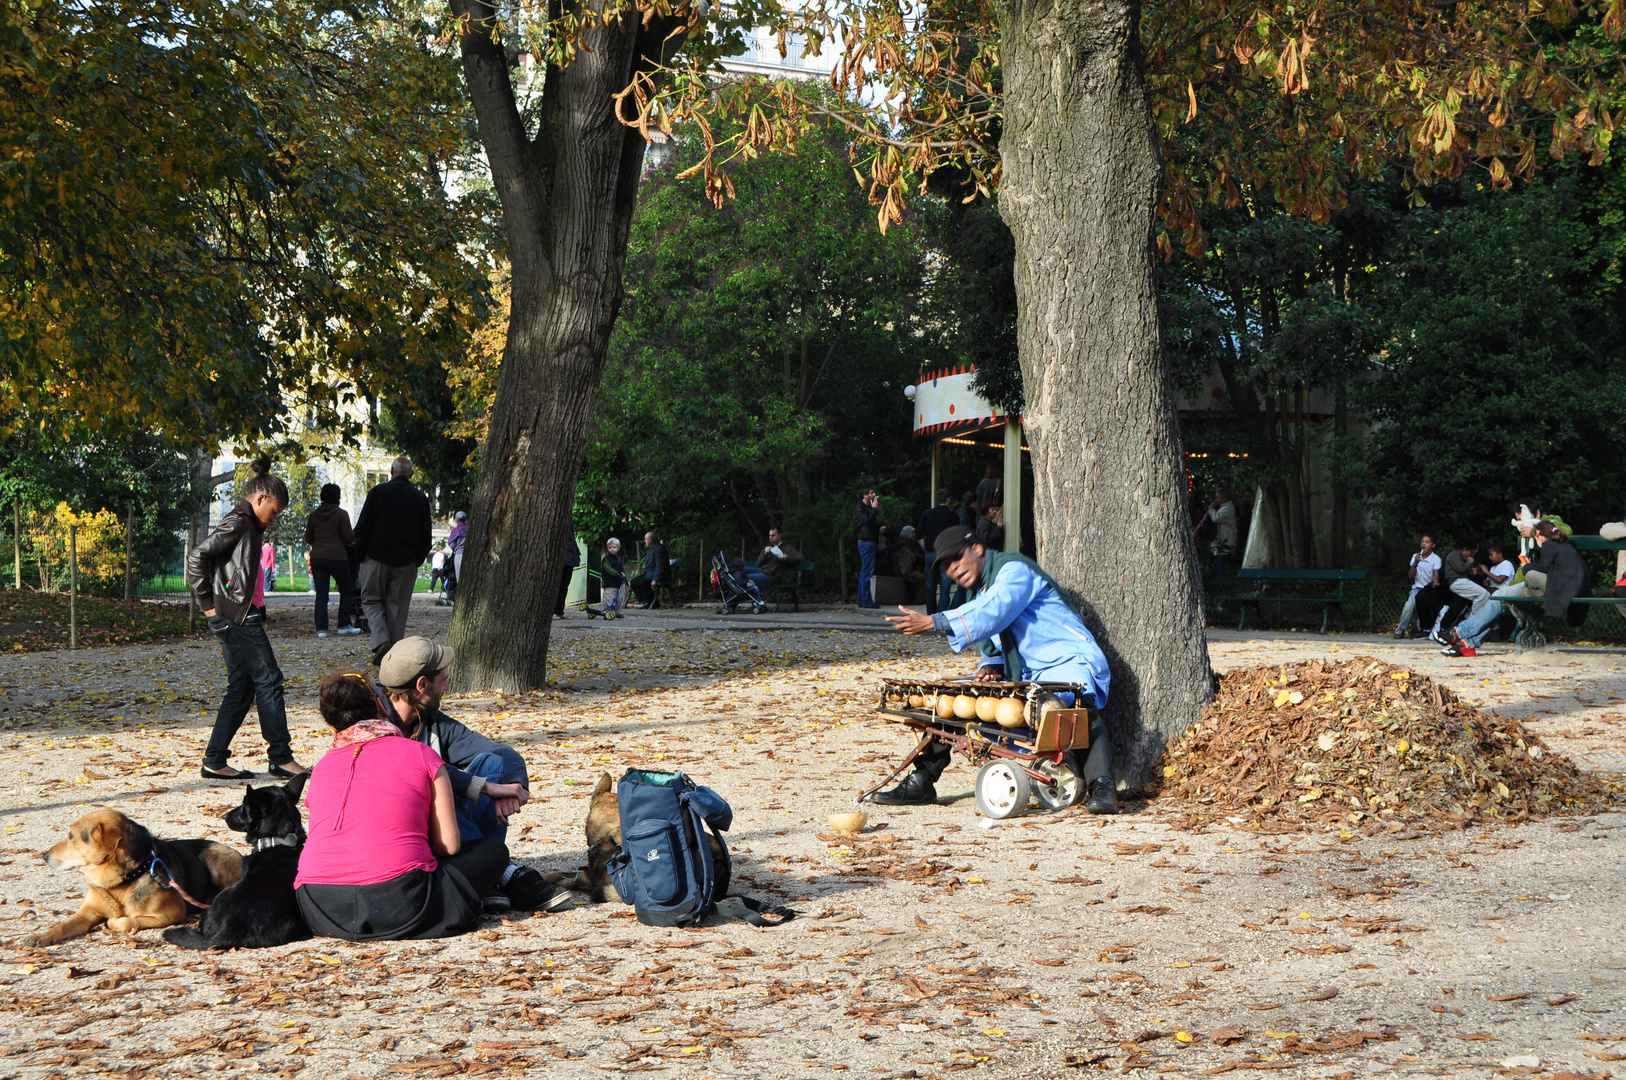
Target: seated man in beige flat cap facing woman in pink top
(489, 778)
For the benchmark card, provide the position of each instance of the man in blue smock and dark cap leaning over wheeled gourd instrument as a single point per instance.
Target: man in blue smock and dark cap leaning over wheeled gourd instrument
(1027, 632)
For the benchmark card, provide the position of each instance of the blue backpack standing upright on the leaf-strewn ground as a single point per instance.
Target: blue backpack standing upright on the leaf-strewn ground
(674, 866)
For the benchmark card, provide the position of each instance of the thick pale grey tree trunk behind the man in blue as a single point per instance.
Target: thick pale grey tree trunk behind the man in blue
(1079, 189)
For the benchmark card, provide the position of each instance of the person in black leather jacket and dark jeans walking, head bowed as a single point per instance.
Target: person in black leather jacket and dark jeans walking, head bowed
(224, 575)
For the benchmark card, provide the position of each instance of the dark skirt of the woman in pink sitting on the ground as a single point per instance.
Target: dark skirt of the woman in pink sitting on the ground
(415, 905)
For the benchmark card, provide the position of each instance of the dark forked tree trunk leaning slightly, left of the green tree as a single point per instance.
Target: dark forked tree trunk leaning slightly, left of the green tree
(567, 209)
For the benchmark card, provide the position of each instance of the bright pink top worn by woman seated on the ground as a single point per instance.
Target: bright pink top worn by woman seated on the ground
(368, 809)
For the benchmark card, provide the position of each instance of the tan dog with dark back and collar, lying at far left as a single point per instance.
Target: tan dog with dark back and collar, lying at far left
(118, 858)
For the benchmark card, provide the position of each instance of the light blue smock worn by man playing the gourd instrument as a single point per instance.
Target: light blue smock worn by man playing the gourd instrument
(1024, 606)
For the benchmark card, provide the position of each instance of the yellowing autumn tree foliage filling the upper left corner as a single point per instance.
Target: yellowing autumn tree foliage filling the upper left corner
(214, 216)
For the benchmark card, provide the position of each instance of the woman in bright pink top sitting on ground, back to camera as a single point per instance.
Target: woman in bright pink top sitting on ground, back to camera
(385, 856)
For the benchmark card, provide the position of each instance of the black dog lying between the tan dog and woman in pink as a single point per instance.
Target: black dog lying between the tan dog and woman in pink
(261, 910)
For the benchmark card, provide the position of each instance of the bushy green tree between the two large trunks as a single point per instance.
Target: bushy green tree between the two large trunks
(760, 359)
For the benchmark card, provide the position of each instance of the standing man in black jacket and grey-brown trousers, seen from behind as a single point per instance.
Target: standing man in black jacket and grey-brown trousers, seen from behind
(393, 541)
